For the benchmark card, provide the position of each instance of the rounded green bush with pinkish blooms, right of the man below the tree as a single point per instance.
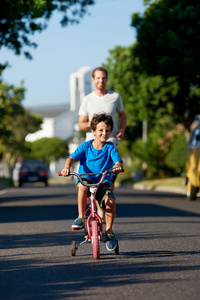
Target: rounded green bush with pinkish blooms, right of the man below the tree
(164, 153)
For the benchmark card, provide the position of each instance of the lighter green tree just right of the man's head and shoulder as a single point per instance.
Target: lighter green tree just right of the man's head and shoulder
(145, 97)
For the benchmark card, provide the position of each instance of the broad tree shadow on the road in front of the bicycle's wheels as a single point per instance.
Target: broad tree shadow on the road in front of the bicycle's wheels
(75, 278)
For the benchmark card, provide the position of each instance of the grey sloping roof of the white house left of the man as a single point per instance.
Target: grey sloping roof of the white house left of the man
(49, 111)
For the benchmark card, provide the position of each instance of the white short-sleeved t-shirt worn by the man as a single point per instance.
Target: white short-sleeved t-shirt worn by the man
(109, 104)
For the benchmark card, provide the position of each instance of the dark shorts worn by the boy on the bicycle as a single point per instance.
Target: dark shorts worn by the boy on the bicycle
(102, 193)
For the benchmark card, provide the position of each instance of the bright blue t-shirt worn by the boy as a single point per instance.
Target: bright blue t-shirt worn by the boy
(95, 161)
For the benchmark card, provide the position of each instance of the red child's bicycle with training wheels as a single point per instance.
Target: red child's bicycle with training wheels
(93, 222)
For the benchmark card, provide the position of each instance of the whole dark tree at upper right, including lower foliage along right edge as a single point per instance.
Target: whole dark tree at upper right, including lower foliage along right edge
(168, 45)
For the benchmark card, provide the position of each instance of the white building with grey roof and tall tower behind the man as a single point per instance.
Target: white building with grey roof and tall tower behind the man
(60, 120)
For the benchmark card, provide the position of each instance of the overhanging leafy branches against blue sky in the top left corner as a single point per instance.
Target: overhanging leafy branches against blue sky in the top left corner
(19, 19)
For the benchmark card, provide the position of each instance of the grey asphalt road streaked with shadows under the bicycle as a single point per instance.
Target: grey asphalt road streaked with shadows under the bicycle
(158, 237)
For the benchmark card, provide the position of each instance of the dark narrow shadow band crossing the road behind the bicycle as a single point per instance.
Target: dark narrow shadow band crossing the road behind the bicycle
(64, 212)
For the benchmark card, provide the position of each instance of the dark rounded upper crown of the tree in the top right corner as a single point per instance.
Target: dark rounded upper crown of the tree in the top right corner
(168, 35)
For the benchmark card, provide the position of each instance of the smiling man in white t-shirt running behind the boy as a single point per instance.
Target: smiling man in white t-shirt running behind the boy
(99, 101)
